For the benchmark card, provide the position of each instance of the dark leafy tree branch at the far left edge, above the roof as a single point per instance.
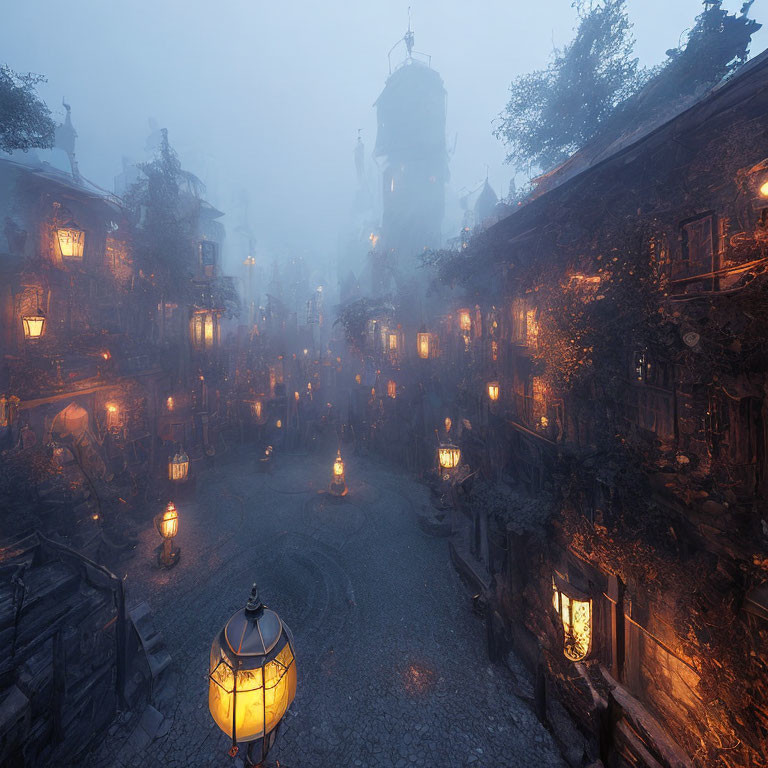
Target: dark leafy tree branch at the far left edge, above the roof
(25, 121)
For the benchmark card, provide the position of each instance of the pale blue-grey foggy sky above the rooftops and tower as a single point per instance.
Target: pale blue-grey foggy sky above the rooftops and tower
(268, 96)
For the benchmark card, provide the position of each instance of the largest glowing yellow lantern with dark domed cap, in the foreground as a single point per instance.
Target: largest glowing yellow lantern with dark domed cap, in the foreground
(252, 677)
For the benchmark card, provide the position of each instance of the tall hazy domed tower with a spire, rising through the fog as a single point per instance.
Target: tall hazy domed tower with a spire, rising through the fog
(411, 142)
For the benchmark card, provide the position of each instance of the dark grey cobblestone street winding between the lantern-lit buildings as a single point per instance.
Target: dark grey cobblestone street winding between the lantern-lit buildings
(391, 660)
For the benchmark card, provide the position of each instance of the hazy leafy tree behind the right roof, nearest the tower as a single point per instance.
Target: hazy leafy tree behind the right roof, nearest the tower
(554, 111)
